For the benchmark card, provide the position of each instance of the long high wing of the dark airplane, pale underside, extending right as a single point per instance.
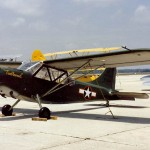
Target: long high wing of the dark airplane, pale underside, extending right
(124, 57)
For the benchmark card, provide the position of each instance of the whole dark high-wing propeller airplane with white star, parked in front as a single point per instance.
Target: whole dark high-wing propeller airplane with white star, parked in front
(49, 81)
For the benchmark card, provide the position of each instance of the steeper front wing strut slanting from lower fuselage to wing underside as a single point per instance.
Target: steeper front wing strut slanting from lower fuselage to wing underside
(54, 88)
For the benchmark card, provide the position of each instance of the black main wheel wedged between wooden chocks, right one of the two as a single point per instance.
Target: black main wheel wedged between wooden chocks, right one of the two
(44, 112)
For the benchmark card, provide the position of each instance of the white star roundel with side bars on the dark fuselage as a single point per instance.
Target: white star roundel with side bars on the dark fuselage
(87, 93)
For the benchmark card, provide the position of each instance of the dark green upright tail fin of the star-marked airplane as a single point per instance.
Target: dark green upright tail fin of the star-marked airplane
(107, 78)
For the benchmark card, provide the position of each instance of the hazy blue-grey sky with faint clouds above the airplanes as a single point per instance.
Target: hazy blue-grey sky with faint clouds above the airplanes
(59, 25)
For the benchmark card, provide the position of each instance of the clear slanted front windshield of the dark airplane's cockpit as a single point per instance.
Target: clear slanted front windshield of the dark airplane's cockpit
(30, 66)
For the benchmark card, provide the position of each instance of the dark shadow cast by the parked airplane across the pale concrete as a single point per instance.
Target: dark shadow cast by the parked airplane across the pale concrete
(77, 114)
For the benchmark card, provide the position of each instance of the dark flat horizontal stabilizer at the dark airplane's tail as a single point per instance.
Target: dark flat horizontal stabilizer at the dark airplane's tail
(131, 95)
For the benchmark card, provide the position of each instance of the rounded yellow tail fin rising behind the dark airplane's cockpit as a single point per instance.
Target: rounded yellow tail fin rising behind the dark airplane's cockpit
(37, 55)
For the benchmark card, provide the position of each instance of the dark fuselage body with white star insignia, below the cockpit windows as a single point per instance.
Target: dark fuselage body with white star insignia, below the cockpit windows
(23, 84)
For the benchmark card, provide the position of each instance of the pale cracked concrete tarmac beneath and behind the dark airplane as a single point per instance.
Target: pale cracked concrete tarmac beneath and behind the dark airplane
(81, 126)
